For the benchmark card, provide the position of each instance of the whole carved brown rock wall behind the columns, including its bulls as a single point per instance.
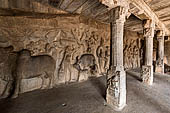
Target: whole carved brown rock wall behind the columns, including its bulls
(79, 47)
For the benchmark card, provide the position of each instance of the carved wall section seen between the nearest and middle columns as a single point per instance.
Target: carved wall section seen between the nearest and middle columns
(133, 50)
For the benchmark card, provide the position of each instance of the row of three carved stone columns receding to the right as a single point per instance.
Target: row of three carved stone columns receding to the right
(116, 78)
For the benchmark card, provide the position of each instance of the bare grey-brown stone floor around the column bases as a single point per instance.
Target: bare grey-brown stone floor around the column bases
(88, 97)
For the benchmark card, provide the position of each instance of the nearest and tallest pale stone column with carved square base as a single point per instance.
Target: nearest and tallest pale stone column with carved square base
(116, 78)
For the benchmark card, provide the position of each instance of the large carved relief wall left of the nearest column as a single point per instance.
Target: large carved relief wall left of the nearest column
(79, 52)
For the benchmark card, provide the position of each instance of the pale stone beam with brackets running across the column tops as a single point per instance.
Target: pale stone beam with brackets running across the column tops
(139, 8)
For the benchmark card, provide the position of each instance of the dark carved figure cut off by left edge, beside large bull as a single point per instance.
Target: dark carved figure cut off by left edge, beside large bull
(7, 69)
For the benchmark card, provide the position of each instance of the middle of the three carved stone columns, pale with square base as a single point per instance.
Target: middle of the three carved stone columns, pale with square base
(147, 69)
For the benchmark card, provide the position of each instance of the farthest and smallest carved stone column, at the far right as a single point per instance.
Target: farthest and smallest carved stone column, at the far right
(160, 59)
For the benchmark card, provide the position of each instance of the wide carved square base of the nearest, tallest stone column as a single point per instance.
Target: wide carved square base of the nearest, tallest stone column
(116, 90)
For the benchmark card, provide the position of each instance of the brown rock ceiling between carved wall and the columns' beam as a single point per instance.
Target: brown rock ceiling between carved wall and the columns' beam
(51, 8)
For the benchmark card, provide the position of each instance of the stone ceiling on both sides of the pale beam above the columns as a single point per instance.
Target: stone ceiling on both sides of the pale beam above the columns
(88, 8)
